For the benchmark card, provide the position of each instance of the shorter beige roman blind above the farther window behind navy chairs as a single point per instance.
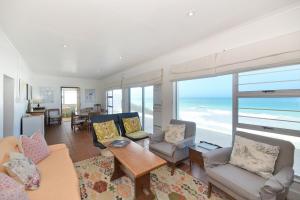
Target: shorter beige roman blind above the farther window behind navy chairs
(148, 78)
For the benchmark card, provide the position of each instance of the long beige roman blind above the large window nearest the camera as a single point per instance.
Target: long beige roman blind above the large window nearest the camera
(282, 50)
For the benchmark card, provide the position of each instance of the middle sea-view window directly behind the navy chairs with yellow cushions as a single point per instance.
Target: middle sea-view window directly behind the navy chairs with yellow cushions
(141, 101)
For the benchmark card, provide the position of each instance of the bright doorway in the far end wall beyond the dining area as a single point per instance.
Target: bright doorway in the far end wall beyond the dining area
(70, 101)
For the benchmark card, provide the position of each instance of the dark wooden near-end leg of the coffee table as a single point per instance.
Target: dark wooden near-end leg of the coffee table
(142, 188)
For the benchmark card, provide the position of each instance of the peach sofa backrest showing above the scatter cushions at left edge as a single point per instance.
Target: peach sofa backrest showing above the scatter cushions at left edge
(7, 145)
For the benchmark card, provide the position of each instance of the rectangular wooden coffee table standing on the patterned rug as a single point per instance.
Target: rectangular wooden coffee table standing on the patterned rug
(136, 162)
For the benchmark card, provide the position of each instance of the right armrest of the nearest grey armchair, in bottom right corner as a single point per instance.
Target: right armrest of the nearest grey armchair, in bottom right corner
(278, 183)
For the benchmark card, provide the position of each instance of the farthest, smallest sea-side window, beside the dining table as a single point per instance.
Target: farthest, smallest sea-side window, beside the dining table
(114, 101)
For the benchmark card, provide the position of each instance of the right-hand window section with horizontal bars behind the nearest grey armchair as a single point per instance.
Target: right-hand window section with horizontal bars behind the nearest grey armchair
(268, 104)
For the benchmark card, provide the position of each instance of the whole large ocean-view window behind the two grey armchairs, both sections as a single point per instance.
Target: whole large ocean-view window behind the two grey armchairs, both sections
(264, 102)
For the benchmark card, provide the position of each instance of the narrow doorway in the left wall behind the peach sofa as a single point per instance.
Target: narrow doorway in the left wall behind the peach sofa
(8, 106)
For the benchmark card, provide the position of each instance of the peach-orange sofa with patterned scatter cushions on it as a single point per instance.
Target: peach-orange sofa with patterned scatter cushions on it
(58, 177)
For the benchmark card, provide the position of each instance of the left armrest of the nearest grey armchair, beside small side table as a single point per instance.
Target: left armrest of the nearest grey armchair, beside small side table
(217, 157)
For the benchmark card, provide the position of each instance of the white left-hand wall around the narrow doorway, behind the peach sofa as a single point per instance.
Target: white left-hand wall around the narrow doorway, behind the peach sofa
(12, 65)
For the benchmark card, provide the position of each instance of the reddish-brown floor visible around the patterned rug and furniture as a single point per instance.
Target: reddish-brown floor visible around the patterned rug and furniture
(81, 146)
